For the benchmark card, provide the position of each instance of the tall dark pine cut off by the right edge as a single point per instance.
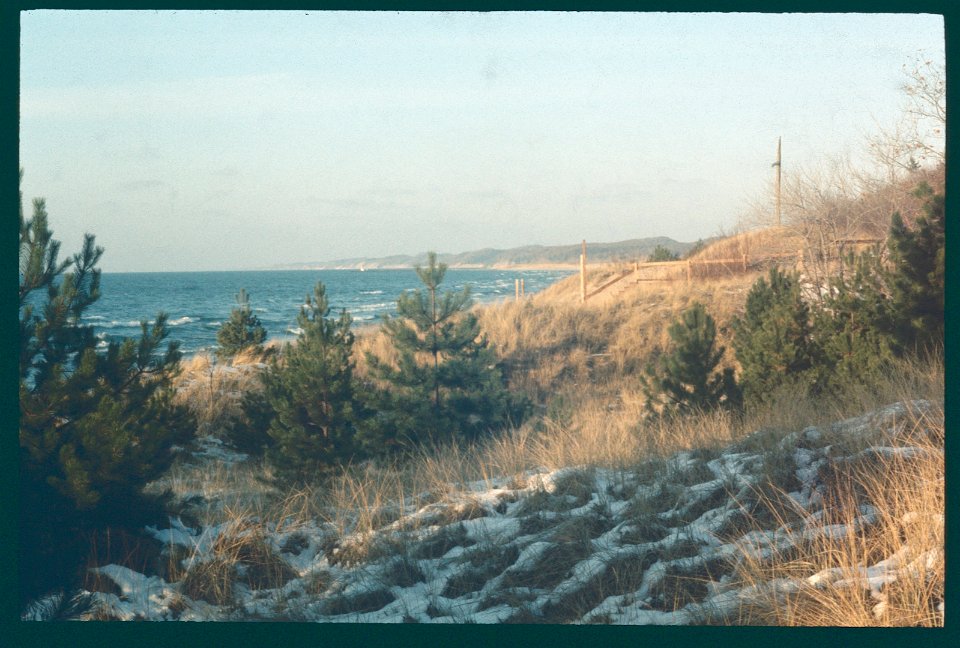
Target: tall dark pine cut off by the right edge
(917, 282)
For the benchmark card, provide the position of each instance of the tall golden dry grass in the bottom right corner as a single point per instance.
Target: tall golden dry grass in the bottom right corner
(889, 573)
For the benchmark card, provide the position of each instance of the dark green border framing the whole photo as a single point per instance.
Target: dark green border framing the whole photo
(18, 634)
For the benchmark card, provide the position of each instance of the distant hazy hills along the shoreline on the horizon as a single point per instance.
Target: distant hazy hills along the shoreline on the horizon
(528, 255)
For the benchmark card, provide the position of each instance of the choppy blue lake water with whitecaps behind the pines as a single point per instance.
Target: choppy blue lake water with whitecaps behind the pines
(197, 303)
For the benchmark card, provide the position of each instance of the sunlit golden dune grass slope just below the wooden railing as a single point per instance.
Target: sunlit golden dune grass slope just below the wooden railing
(551, 344)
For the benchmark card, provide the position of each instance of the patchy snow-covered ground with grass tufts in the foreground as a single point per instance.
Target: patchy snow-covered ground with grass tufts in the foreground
(655, 545)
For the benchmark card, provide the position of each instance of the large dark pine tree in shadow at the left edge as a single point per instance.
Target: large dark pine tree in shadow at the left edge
(94, 427)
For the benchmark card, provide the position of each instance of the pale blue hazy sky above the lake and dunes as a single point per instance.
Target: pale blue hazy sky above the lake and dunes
(242, 140)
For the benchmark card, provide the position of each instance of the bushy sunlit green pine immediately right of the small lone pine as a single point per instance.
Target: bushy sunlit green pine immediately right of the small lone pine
(773, 338)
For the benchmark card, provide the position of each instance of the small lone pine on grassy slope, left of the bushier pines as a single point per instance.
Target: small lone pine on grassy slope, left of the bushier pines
(685, 379)
